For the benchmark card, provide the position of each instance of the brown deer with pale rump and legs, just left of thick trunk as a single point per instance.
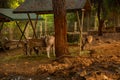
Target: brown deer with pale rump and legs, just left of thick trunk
(43, 44)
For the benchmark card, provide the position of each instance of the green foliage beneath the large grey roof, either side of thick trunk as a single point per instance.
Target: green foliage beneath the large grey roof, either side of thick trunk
(49, 19)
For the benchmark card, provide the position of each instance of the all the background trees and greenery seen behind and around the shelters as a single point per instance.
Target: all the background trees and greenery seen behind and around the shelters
(107, 11)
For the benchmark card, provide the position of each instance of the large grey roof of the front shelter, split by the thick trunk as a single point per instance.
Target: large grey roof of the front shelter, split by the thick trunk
(45, 6)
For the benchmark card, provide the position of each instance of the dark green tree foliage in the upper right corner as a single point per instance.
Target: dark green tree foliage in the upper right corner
(109, 9)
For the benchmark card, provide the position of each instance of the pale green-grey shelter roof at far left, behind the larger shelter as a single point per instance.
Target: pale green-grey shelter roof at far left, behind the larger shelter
(8, 13)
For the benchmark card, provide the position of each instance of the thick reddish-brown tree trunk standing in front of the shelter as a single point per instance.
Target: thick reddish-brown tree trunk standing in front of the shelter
(60, 23)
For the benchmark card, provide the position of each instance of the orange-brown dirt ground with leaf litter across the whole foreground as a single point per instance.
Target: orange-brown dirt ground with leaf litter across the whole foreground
(102, 62)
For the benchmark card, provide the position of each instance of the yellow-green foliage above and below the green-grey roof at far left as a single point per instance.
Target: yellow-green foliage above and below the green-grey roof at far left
(12, 25)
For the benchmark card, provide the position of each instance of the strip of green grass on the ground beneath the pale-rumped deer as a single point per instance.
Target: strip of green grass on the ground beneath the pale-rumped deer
(21, 57)
